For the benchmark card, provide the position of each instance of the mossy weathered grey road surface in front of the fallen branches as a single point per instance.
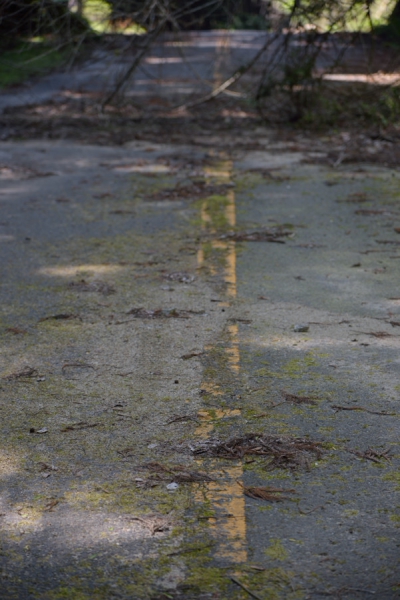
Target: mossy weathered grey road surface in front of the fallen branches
(88, 234)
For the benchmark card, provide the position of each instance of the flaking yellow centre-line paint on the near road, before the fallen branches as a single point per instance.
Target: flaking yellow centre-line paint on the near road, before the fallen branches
(229, 531)
